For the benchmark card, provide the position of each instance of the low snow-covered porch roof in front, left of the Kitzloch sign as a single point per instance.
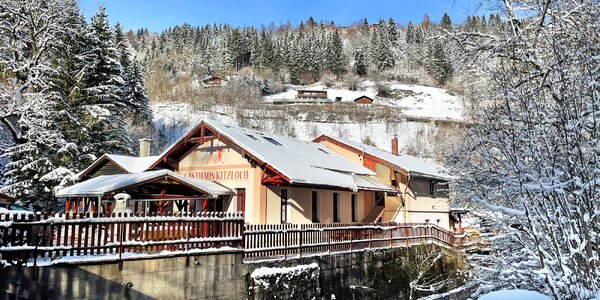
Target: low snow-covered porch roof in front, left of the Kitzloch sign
(101, 185)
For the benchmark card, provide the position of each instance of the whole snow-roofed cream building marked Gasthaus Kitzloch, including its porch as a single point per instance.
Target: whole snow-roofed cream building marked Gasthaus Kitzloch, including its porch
(271, 178)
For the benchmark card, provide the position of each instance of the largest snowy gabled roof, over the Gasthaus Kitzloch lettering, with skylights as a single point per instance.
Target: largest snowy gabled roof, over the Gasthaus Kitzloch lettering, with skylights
(301, 162)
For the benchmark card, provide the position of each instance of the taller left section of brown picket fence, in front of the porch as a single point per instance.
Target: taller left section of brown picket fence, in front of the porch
(60, 236)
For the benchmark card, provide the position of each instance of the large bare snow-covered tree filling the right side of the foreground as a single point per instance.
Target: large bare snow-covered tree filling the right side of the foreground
(532, 155)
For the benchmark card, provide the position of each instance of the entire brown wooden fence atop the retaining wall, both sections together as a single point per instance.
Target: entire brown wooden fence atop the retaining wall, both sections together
(114, 237)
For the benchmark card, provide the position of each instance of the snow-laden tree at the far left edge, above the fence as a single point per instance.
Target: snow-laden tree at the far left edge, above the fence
(32, 33)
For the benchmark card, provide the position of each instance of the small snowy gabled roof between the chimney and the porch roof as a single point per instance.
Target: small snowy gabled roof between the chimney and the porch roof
(129, 164)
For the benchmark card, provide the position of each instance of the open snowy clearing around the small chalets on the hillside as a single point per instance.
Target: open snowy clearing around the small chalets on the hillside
(414, 100)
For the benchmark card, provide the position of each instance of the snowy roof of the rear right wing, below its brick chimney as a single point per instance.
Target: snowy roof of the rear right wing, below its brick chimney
(415, 166)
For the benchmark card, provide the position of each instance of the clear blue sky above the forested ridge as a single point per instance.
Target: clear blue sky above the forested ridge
(157, 15)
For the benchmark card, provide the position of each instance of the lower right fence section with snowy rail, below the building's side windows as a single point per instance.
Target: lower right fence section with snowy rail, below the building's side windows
(298, 240)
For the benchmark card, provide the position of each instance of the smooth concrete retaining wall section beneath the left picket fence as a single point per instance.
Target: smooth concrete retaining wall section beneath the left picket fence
(220, 276)
